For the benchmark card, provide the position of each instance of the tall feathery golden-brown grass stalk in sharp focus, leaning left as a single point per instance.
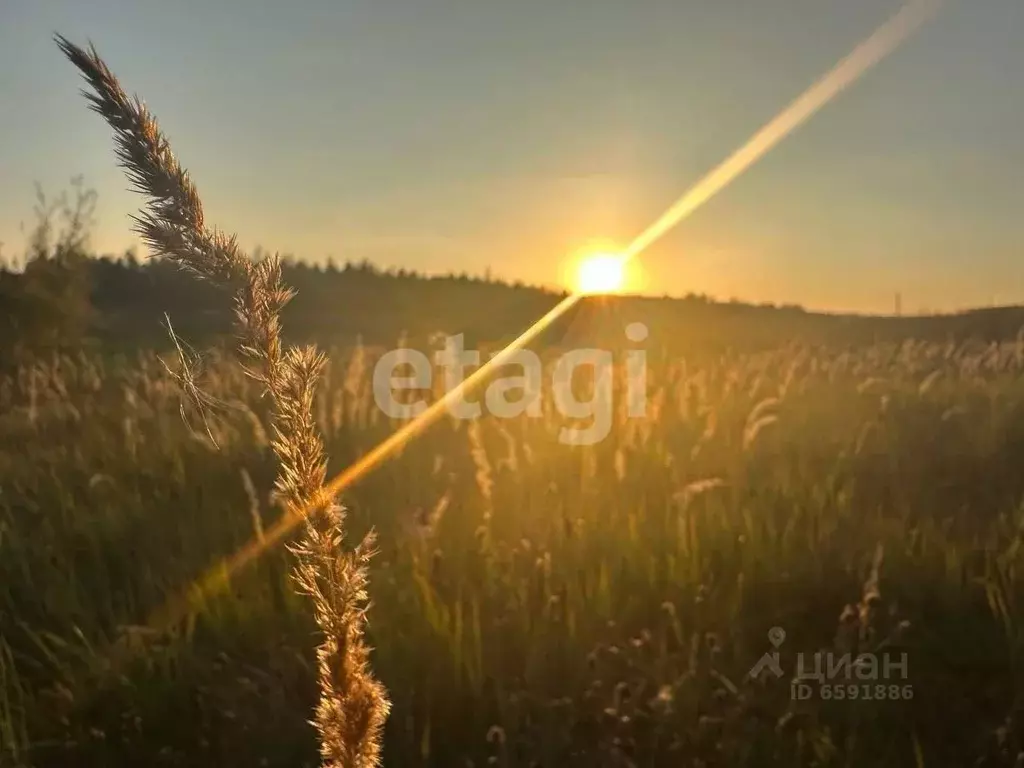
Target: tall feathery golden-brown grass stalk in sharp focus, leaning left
(354, 705)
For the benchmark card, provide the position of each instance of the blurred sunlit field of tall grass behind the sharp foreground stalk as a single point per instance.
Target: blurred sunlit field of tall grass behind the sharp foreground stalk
(533, 604)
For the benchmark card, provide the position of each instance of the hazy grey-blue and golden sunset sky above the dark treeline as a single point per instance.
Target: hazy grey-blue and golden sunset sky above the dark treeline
(446, 136)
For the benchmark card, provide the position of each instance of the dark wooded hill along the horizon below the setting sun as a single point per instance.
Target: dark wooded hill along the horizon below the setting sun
(66, 300)
